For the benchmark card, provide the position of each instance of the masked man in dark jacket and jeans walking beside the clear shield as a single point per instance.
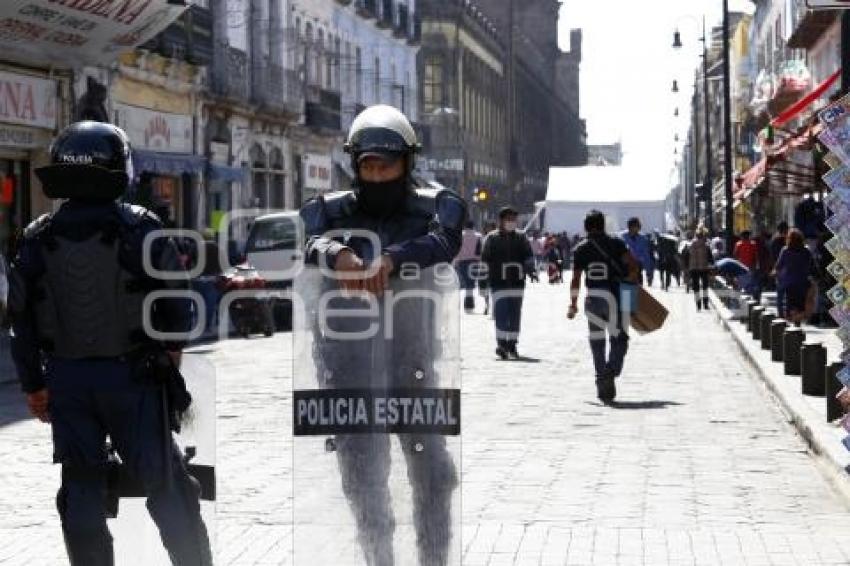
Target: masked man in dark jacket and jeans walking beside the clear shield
(509, 259)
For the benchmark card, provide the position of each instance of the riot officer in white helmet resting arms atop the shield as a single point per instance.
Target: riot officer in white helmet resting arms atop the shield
(413, 226)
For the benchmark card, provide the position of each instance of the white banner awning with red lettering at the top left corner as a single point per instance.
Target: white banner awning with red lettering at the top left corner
(73, 34)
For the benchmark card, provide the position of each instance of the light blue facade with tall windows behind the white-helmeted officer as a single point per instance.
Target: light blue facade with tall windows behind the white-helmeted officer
(348, 55)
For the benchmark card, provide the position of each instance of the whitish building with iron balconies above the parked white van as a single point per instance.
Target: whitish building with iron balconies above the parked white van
(250, 100)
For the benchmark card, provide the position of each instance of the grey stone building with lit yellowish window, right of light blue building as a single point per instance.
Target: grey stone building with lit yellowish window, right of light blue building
(463, 91)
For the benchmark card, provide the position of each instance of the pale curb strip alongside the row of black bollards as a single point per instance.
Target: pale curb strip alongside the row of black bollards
(823, 438)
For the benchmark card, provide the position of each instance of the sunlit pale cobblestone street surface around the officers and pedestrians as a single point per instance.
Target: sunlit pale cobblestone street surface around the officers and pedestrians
(694, 465)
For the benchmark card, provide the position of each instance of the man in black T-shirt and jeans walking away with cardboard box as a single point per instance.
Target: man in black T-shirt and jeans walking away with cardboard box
(608, 266)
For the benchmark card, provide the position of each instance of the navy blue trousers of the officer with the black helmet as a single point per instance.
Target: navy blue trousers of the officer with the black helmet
(90, 400)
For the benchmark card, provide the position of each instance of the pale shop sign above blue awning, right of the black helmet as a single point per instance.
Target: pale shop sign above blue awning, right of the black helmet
(156, 131)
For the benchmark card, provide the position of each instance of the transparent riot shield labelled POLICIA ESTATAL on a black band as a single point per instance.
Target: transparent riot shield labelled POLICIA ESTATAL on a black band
(377, 420)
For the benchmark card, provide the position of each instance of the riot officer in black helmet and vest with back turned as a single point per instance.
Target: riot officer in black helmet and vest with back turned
(77, 291)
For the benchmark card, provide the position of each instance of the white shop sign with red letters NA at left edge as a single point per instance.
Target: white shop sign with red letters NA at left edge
(28, 101)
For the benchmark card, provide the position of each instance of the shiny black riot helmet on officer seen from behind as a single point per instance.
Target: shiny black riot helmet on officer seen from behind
(88, 161)
